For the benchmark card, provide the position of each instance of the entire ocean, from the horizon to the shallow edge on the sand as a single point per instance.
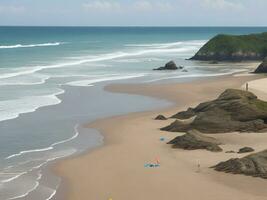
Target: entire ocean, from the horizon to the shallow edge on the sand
(51, 83)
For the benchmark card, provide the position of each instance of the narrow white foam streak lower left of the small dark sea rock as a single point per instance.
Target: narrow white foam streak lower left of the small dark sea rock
(89, 82)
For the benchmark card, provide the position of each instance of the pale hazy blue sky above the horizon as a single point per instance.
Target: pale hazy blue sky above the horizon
(134, 12)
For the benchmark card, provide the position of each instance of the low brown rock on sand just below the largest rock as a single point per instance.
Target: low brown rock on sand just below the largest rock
(196, 140)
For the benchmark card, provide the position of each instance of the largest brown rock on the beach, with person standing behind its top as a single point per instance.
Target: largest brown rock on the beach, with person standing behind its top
(233, 110)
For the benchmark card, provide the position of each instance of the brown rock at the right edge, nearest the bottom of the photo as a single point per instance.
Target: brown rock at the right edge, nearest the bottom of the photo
(252, 165)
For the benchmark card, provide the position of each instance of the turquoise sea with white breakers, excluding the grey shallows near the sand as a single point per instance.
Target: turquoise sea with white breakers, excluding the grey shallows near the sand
(31, 56)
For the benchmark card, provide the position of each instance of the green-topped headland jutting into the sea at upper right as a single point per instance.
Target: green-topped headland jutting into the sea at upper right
(234, 48)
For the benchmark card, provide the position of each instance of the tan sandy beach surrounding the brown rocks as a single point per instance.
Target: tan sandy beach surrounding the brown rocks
(116, 170)
